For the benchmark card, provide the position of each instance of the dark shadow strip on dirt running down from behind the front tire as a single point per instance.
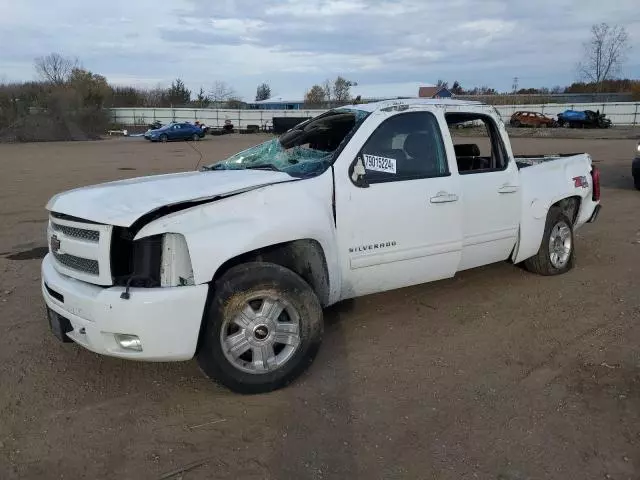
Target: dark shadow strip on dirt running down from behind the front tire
(320, 441)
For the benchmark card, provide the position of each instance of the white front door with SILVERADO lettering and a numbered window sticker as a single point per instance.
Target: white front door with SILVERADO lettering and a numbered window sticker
(398, 204)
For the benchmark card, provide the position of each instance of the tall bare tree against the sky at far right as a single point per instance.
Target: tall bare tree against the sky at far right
(604, 53)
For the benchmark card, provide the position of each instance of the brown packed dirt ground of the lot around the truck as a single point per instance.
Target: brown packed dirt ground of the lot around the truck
(495, 374)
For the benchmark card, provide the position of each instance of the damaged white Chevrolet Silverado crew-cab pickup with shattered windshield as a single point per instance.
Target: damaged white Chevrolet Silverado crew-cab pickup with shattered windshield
(234, 263)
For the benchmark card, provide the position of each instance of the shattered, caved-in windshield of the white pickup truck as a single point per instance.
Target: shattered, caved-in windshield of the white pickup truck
(306, 150)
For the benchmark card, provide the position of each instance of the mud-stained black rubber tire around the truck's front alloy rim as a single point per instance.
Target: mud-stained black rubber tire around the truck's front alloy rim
(229, 296)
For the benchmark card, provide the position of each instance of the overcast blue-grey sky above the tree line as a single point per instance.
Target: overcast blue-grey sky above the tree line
(388, 47)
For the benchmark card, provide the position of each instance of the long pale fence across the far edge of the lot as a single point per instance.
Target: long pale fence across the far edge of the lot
(622, 113)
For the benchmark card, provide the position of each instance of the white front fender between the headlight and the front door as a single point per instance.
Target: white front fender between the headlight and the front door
(224, 229)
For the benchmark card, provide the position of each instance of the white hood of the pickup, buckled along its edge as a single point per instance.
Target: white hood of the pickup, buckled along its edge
(122, 202)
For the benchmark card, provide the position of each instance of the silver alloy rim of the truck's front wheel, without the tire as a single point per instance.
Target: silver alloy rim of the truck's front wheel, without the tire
(263, 336)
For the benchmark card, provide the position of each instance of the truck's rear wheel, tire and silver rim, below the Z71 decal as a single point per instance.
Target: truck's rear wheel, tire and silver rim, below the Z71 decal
(556, 253)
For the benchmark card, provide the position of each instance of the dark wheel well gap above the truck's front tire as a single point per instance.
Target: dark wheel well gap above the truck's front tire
(304, 257)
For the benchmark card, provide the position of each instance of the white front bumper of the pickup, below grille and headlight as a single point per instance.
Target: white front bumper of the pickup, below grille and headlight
(166, 320)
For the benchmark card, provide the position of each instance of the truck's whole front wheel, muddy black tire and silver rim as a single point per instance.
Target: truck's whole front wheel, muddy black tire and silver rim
(262, 328)
